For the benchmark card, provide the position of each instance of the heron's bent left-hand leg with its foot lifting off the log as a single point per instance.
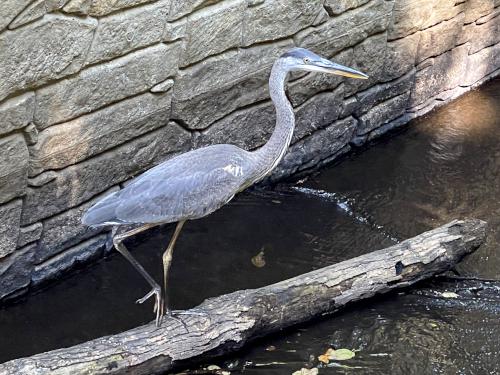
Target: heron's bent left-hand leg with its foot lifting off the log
(156, 290)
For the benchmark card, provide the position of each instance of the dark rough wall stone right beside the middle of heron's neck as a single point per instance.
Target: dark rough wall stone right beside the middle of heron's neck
(318, 112)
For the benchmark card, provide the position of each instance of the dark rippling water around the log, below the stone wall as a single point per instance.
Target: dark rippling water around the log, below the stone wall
(444, 166)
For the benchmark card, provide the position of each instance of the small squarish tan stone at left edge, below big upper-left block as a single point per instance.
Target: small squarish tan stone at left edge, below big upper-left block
(17, 112)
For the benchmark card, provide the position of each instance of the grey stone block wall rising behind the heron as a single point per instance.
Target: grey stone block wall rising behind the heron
(92, 92)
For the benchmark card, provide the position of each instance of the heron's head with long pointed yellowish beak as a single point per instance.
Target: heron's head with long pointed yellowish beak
(303, 59)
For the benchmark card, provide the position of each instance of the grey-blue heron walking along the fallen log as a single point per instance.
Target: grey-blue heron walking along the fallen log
(196, 183)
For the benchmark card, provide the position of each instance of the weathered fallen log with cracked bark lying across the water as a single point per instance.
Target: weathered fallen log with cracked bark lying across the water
(224, 324)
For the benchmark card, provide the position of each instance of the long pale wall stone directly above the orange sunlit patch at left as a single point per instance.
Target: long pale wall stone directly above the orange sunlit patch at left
(103, 84)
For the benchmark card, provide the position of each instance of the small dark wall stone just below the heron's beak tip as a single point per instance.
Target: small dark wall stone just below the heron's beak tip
(383, 113)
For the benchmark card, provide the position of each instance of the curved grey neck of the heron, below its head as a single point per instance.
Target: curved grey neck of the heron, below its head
(269, 155)
